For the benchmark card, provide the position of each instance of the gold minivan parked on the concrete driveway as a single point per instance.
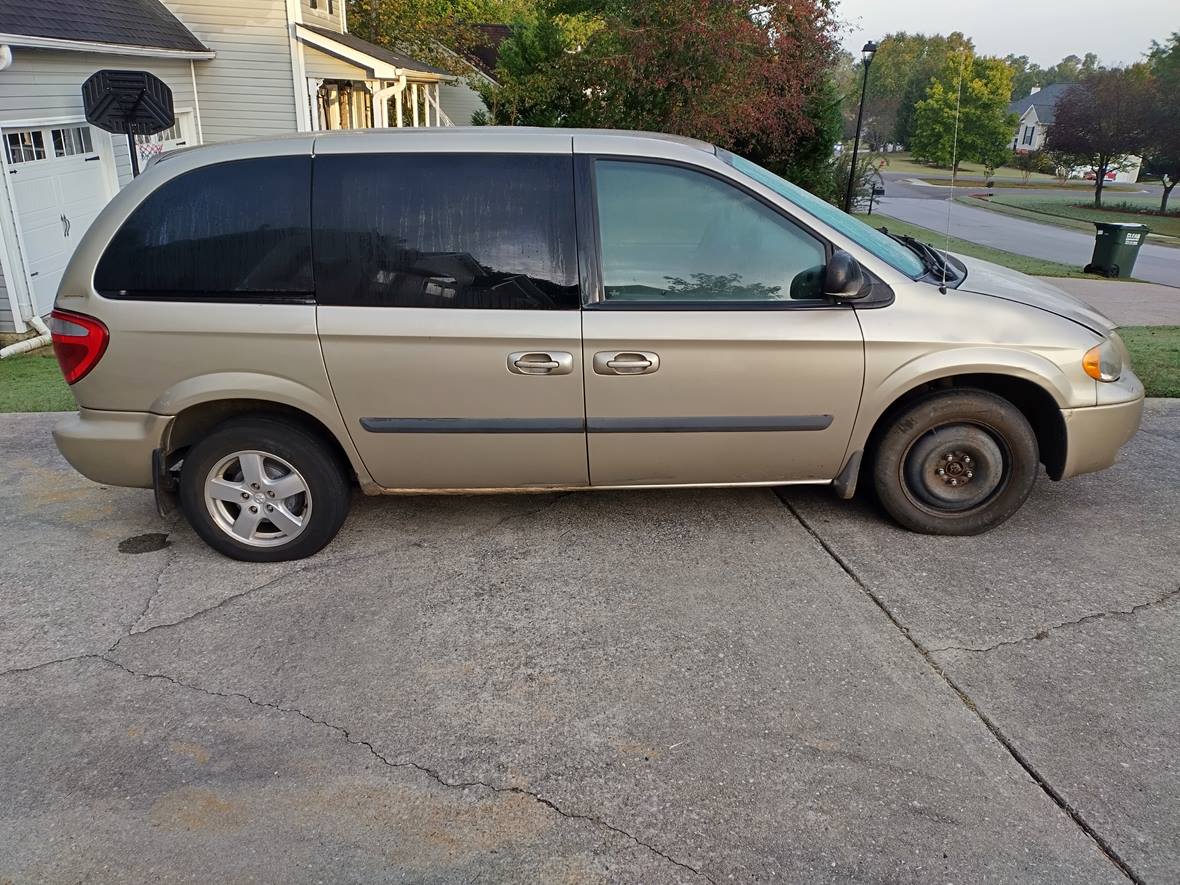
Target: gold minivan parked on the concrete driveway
(259, 326)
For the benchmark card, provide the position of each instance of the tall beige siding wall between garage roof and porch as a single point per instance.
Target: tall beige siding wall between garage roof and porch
(250, 89)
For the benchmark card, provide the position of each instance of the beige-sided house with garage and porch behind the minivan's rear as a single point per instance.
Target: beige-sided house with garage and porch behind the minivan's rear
(238, 69)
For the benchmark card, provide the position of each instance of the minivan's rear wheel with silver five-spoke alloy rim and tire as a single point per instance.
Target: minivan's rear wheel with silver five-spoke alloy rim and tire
(264, 490)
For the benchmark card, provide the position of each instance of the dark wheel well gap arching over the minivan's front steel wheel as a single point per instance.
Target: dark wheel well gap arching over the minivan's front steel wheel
(1037, 404)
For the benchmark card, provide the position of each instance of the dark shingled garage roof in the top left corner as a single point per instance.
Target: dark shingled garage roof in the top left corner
(124, 23)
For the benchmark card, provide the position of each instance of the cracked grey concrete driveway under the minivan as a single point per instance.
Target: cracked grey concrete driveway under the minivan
(699, 686)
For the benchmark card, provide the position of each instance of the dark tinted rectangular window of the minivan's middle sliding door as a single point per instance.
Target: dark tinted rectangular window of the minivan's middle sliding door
(478, 232)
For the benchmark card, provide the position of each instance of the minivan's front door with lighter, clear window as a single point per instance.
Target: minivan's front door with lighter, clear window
(711, 355)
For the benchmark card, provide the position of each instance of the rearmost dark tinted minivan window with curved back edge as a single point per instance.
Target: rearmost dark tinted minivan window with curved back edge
(238, 232)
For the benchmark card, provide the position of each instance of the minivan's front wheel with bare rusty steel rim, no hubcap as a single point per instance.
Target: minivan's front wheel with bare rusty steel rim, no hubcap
(958, 462)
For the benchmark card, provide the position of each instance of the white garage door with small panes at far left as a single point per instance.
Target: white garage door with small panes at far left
(58, 187)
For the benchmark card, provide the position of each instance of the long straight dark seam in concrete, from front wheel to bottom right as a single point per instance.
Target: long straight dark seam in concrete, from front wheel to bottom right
(1052, 792)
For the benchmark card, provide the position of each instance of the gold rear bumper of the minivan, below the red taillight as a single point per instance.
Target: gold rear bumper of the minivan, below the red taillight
(112, 448)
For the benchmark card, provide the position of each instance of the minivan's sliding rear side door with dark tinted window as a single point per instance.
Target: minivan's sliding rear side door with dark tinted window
(448, 293)
